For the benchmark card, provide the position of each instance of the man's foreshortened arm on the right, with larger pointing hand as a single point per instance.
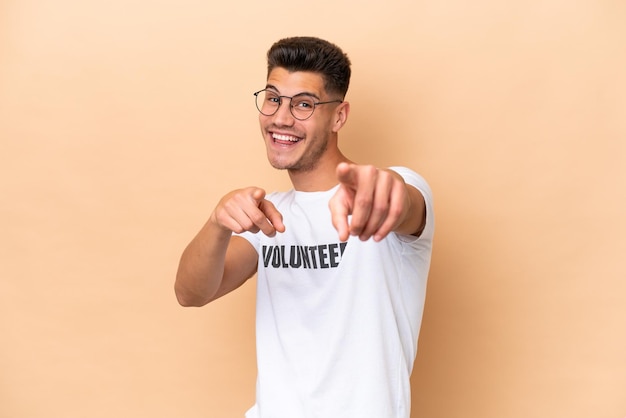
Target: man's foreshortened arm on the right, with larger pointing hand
(378, 200)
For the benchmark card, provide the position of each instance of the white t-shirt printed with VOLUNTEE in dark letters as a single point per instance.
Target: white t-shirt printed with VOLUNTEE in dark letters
(337, 323)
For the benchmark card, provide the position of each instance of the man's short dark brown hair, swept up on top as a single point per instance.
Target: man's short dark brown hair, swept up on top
(306, 53)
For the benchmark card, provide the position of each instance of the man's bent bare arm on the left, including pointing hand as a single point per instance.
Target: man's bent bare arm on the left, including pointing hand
(215, 262)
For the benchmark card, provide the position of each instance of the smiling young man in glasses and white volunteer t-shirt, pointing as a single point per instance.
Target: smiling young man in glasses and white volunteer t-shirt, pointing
(341, 260)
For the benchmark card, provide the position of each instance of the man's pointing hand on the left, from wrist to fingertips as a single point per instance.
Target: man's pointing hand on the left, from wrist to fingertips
(248, 210)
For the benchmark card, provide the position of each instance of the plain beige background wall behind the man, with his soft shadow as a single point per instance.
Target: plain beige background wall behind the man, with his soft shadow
(122, 122)
